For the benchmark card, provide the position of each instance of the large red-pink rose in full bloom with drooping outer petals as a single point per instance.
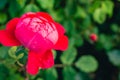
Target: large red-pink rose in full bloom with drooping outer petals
(40, 34)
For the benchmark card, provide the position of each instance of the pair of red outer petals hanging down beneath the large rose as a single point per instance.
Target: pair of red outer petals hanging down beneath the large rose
(39, 60)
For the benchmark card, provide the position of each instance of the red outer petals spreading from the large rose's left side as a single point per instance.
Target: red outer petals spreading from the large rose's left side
(7, 37)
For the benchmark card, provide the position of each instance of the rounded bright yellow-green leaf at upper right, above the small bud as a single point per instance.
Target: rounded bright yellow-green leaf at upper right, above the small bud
(99, 15)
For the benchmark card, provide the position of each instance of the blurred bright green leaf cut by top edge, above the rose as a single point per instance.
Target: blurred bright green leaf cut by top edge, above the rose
(46, 4)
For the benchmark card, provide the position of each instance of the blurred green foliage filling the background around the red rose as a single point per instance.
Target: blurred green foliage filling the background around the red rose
(80, 19)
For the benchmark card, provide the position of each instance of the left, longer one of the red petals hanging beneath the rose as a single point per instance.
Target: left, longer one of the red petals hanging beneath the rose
(32, 64)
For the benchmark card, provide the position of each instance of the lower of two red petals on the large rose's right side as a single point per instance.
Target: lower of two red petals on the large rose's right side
(62, 43)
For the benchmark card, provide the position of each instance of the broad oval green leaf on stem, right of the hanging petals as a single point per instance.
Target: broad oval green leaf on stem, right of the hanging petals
(87, 63)
